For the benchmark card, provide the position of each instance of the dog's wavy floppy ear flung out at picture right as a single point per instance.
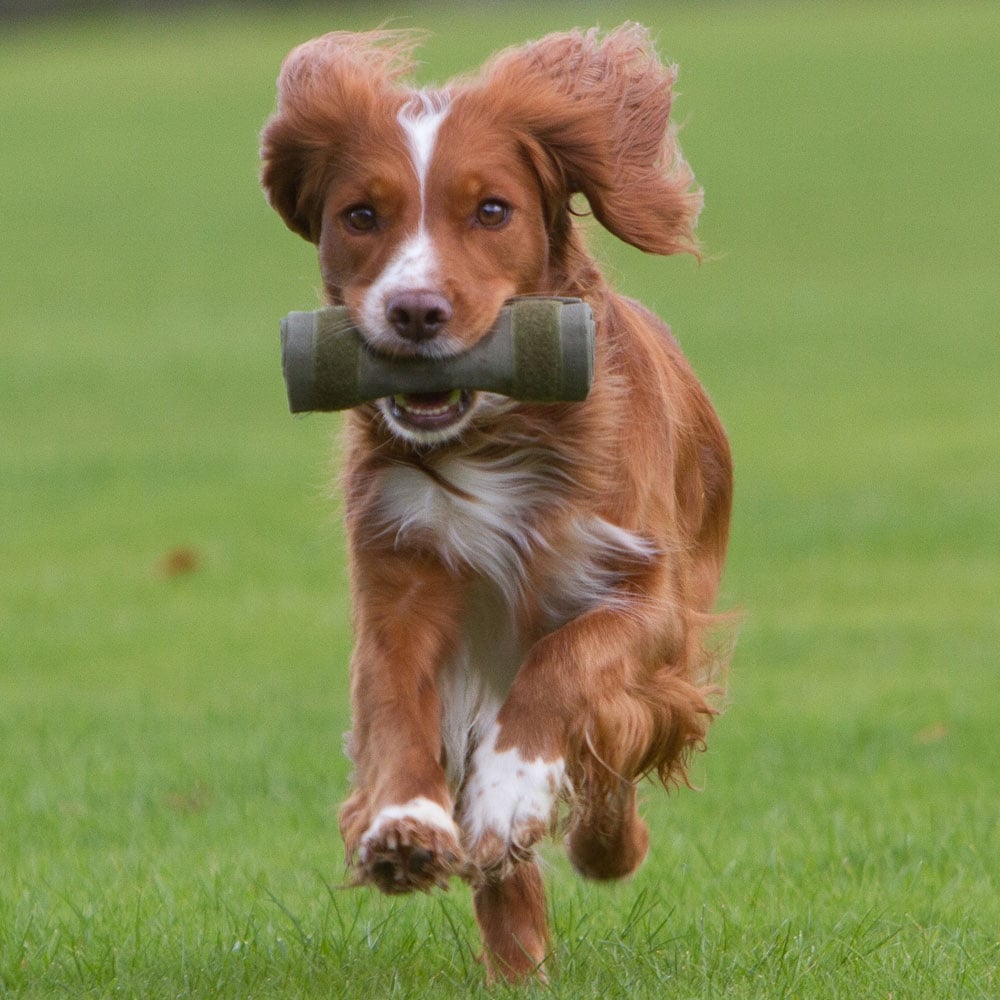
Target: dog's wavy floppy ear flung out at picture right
(599, 111)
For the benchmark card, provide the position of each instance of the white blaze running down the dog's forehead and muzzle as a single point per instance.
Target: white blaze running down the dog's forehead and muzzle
(414, 266)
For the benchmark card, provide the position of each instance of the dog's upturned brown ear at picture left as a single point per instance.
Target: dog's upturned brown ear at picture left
(330, 90)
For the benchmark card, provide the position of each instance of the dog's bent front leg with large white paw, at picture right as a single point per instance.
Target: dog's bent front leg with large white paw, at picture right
(587, 675)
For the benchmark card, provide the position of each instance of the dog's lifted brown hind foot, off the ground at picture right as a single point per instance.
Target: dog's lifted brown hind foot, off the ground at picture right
(608, 839)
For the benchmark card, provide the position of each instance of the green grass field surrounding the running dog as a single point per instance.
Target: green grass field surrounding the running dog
(173, 622)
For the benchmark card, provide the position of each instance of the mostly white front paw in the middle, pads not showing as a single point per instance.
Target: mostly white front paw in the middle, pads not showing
(508, 805)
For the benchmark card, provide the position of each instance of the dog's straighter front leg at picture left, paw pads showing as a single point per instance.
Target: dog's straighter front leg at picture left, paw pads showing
(397, 825)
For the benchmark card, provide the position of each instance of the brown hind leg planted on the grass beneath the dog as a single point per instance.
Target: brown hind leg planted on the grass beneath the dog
(513, 922)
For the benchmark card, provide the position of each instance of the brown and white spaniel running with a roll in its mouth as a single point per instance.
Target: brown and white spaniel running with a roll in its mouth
(532, 584)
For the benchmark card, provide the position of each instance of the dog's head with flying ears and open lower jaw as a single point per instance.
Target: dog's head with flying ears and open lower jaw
(430, 208)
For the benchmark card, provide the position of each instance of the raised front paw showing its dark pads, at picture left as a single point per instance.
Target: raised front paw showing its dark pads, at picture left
(409, 847)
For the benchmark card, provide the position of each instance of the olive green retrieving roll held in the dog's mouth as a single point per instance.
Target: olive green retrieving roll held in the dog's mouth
(540, 350)
